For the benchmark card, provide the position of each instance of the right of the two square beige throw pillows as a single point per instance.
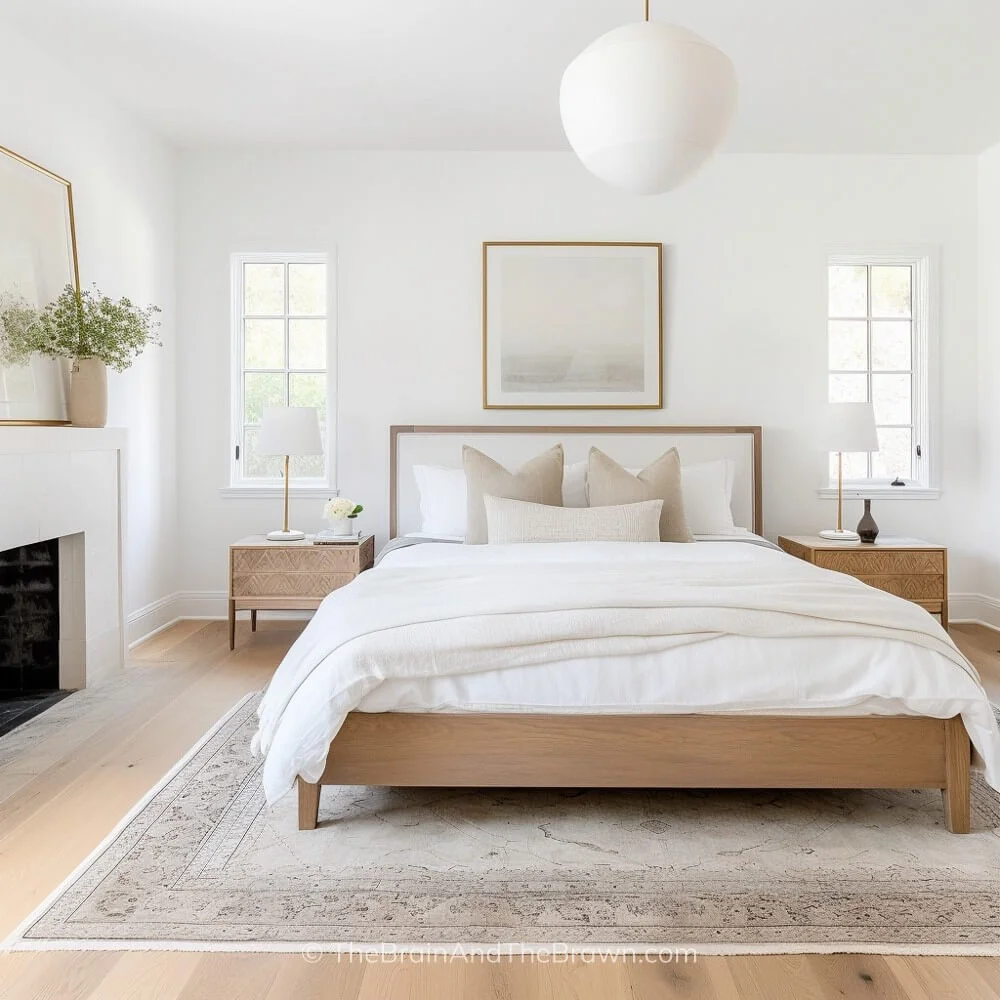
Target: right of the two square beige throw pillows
(609, 484)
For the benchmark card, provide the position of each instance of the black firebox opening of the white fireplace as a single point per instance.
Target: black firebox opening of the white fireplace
(29, 631)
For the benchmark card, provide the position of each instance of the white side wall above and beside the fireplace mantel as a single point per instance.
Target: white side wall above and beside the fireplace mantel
(123, 189)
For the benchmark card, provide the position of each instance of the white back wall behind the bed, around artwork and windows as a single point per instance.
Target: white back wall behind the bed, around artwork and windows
(745, 323)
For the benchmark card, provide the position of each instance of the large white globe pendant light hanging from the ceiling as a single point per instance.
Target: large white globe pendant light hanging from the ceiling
(647, 104)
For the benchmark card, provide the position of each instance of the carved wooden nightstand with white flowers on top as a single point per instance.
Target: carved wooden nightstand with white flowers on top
(290, 576)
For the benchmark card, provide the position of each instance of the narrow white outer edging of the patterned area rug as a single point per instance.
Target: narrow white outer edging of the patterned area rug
(491, 951)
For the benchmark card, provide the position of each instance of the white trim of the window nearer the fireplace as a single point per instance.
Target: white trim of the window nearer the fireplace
(249, 489)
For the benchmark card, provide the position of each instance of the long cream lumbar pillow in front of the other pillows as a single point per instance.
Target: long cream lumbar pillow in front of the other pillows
(514, 521)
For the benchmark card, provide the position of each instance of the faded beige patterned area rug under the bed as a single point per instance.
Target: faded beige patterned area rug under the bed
(203, 863)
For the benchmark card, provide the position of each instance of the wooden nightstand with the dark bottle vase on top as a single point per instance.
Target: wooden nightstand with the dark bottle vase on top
(905, 567)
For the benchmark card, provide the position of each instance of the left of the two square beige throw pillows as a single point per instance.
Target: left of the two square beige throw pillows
(538, 481)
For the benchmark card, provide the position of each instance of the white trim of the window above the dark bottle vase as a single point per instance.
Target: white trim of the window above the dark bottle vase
(926, 262)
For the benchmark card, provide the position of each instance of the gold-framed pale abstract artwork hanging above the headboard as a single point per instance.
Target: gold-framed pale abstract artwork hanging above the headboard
(572, 326)
